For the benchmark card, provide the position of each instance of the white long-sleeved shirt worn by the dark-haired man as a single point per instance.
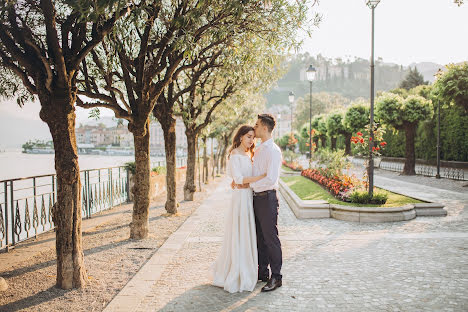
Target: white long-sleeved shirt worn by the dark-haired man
(267, 159)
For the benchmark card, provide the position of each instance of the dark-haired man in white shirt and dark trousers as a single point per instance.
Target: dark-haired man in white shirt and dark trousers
(267, 159)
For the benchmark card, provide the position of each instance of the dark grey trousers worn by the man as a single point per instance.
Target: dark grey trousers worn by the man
(268, 244)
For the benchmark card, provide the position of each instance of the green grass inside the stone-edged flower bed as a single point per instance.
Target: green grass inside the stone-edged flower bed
(307, 189)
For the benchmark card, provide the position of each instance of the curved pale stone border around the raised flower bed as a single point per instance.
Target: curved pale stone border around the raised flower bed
(314, 209)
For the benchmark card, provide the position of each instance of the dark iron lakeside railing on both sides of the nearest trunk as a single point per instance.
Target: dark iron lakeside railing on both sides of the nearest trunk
(26, 203)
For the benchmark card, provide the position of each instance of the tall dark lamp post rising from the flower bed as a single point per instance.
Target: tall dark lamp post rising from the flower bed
(372, 4)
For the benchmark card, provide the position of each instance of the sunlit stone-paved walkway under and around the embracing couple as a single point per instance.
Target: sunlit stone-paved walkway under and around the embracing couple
(329, 265)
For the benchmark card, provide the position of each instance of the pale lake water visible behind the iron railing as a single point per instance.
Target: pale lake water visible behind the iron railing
(14, 164)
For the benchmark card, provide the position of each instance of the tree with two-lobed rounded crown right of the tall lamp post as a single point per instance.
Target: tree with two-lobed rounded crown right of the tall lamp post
(404, 114)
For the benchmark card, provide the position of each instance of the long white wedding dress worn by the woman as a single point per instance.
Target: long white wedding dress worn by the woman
(236, 267)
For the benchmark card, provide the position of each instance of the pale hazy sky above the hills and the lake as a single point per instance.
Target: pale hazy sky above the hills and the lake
(406, 31)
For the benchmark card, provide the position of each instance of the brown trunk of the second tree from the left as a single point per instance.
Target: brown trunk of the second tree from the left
(141, 188)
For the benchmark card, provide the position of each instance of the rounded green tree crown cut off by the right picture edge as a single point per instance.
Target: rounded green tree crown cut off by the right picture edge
(451, 87)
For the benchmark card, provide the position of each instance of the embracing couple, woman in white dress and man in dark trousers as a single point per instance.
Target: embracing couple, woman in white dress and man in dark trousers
(251, 246)
